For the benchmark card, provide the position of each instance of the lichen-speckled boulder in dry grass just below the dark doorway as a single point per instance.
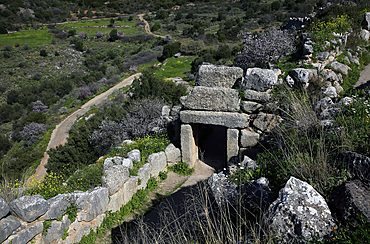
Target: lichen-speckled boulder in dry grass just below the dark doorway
(223, 190)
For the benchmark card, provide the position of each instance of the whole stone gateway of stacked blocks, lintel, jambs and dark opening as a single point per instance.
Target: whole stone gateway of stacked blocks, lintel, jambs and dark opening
(216, 126)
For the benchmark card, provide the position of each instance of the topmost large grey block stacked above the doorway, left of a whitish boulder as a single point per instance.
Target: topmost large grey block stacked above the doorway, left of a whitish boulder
(218, 76)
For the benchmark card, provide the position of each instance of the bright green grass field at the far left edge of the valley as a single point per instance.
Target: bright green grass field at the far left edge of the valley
(30, 37)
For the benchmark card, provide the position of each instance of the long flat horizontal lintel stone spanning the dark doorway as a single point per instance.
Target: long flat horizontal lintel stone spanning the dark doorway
(227, 119)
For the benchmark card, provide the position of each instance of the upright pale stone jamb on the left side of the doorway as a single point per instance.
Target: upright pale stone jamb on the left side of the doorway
(188, 148)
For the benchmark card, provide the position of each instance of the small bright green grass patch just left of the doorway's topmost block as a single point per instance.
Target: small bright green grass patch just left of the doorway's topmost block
(175, 67)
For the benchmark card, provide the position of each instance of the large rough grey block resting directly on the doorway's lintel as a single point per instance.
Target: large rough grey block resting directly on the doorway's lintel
(212, 99)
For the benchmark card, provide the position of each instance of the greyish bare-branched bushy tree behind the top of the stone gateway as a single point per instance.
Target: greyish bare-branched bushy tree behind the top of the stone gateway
(262, 49)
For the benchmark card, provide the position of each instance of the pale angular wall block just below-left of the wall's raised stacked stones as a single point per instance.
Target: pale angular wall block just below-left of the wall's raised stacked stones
(96, 203)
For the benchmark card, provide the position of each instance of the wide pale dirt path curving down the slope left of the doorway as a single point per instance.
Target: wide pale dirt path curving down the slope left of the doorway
(61, 131)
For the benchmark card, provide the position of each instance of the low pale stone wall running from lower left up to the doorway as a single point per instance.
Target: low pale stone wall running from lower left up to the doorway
(22, 220)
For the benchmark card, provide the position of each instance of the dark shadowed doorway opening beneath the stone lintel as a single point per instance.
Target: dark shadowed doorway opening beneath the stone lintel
(211, 142)
